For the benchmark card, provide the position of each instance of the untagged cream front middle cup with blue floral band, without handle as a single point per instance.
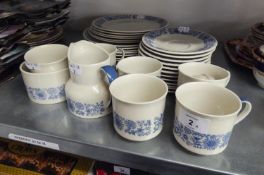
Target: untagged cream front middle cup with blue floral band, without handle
(138, 106)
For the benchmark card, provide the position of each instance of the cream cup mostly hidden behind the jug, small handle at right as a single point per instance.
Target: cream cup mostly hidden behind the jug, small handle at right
(111, 50)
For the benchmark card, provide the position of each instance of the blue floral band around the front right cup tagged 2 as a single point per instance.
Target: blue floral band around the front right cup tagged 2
(199, 140)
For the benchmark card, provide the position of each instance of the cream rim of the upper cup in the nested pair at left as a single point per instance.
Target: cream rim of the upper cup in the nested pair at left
(43, 46)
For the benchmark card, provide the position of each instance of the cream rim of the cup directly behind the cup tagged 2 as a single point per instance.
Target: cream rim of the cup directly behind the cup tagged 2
(201, 79)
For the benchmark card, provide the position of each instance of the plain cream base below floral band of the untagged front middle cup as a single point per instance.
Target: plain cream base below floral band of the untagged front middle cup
(136, 138)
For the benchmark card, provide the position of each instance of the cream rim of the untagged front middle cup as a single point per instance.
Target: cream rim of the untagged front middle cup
(141, 75)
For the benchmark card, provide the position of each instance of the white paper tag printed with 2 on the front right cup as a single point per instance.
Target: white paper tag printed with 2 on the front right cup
(193, 122)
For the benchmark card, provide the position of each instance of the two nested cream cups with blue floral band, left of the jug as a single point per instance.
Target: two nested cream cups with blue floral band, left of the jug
(45, 73)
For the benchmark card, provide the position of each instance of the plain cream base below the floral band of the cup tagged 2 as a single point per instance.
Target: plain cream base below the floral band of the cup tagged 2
(196, 150)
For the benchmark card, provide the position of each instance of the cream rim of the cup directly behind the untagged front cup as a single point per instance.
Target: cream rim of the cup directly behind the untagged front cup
(139, 57)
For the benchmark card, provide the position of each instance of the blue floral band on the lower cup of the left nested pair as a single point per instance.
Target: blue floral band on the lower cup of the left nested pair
(46, 93)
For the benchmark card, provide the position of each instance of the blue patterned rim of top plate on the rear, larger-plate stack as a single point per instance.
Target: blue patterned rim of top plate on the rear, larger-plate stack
(98, 23)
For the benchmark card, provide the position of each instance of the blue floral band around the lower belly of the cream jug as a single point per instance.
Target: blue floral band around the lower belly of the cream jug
(84, 109)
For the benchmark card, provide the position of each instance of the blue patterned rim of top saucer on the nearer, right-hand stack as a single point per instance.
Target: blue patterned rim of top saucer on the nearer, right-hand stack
(209, 41)
